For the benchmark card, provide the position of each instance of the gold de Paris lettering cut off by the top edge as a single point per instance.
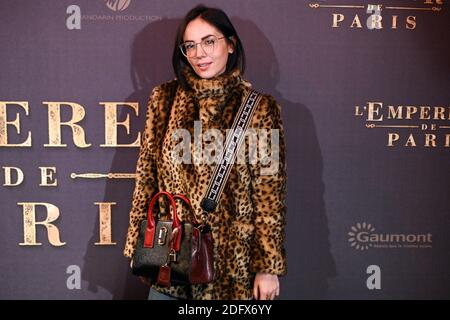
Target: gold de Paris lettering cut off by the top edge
(390, 15)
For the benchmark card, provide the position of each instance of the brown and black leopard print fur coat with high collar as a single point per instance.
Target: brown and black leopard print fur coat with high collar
(249, 221)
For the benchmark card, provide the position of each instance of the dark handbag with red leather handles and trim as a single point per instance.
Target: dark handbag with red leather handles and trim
(171, 252)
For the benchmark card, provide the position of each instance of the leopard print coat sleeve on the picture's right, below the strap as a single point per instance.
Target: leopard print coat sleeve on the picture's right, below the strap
(268, 191)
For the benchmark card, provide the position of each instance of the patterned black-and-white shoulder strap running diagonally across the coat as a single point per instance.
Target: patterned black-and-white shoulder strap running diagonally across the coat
(232, 145)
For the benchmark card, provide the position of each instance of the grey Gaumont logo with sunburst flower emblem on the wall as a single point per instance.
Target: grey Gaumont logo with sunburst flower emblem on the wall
(363, 236)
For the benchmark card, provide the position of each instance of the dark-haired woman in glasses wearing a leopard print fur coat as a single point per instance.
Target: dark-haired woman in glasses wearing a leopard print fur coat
(248, 223)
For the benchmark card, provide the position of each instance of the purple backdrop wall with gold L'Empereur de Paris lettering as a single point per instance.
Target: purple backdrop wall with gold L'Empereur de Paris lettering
(365, 96)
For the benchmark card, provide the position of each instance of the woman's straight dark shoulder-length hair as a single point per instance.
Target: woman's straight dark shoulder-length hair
(218, 19)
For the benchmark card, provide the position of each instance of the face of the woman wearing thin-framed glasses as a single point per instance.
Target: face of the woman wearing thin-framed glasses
(207, 64)
